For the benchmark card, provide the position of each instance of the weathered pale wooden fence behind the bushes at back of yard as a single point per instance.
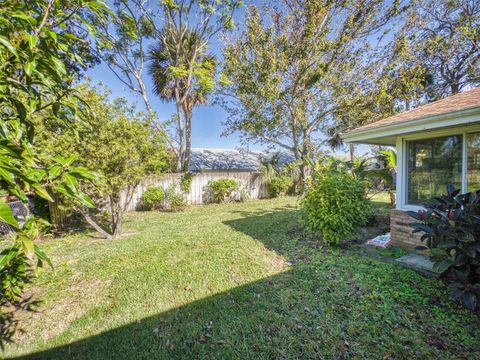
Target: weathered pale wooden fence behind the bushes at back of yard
(252, 184)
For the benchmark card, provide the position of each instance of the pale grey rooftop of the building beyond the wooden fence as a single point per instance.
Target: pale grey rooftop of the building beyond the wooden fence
(205, 159)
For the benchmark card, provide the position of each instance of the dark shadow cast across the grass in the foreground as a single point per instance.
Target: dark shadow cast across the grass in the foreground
(342, 306)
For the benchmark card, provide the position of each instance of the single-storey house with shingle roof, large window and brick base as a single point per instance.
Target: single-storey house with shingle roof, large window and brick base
(437, 144)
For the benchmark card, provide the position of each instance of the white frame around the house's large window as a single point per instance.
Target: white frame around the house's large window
(402, 161)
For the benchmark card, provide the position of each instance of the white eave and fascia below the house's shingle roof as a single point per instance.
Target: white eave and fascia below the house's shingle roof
(375, 134)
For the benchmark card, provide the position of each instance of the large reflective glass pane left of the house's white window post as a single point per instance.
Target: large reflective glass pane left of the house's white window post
(432, 165)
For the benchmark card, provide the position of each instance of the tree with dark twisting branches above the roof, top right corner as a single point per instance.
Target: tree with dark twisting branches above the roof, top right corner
(443, 39)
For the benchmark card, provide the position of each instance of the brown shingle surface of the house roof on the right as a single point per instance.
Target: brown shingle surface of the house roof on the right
(463, 101)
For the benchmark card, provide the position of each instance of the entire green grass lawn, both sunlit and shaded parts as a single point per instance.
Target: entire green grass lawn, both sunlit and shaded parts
(236, 281)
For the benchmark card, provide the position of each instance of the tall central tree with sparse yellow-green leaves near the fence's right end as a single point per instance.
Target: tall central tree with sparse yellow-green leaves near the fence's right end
(295, 67)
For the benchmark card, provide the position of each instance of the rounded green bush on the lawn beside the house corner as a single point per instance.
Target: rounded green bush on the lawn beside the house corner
(334, 205)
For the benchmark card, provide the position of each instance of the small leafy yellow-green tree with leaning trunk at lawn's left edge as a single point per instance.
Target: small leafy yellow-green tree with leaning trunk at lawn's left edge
(122, 149)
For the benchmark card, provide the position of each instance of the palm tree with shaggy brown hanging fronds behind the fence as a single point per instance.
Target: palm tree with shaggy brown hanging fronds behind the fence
(182, 72)
